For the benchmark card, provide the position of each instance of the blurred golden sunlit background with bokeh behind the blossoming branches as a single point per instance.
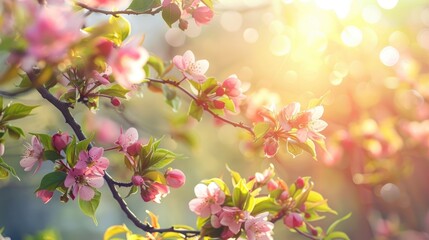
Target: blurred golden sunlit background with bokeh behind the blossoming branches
(370, 59)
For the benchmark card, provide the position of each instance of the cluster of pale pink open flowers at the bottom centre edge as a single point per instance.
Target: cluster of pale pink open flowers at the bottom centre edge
(210, 202)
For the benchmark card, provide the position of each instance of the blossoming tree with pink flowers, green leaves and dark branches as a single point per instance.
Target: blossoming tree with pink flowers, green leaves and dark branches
(51, 50)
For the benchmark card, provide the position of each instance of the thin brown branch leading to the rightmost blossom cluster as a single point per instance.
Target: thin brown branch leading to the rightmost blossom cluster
(193, 97)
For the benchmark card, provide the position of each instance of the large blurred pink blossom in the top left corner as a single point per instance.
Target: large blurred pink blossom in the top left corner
(54, 29)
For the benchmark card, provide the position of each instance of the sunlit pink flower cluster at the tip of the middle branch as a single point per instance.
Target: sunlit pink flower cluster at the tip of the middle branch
(292, 122)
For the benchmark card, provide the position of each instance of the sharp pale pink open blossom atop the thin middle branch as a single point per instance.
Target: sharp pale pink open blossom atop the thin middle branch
(191, 69)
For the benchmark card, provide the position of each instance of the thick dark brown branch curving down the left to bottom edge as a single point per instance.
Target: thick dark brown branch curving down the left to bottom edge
(63, 107)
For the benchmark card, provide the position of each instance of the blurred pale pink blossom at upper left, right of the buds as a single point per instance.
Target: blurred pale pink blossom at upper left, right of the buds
(127, 64)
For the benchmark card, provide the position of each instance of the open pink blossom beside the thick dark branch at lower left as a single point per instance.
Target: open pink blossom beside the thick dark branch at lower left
(93, 160)
